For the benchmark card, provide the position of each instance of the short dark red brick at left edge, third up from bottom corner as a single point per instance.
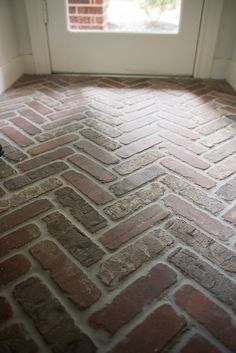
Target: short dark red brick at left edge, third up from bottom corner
(12, 268)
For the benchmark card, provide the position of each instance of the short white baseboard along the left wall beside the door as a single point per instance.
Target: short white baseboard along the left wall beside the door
(10, 72)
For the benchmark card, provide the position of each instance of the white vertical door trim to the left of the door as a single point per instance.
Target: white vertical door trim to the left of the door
(38, 34)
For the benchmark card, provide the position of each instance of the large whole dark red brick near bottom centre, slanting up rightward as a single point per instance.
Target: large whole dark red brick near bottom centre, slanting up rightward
(123, 308)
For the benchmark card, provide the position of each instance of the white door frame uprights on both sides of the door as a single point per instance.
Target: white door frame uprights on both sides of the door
(208, 34)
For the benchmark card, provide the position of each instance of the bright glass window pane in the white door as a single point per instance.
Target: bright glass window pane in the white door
(160, 16)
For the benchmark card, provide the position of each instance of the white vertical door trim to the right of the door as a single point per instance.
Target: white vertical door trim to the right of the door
(211, 17)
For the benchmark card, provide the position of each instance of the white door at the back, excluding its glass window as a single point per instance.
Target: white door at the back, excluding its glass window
(112, 52)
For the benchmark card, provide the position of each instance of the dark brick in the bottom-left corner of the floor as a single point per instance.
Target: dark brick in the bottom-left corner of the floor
(14, 338)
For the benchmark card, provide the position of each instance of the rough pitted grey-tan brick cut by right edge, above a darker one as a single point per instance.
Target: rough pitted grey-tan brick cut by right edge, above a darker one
(204, 245)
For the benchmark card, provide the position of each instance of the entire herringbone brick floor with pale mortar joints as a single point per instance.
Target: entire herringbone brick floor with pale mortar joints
(117, 216)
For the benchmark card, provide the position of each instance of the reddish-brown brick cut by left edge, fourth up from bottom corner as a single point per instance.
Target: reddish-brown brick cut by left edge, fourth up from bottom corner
(18, 238)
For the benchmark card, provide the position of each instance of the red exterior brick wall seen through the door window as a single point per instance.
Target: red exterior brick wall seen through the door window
(87, 14)
